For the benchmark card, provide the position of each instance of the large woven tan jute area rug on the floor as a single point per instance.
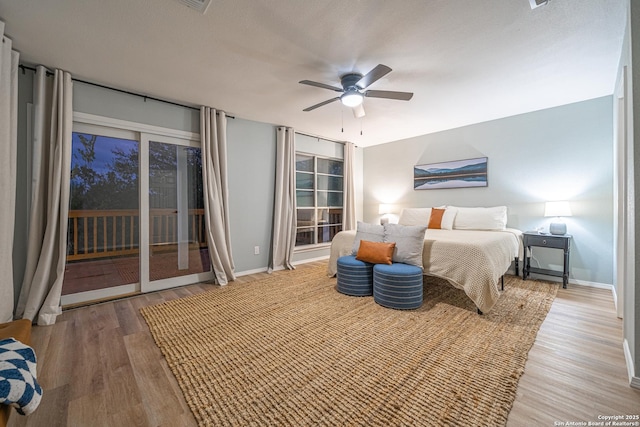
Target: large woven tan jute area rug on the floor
(290, 350)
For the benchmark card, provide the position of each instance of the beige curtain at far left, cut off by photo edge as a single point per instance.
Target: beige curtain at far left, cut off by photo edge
(8, 146)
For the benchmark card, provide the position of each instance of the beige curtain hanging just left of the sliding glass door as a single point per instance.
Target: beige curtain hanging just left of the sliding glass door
(51, 166)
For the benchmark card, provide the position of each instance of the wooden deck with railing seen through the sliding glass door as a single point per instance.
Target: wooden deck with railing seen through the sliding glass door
(103, 249)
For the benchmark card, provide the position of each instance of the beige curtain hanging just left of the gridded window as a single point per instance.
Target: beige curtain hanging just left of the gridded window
(283, 238)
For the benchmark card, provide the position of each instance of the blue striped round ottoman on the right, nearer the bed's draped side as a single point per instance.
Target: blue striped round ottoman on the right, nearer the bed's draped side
(397, 286)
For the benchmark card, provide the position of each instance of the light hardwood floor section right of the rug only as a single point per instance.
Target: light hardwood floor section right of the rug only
(576, 369)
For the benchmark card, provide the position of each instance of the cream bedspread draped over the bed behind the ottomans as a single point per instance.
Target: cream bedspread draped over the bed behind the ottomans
(470, 260)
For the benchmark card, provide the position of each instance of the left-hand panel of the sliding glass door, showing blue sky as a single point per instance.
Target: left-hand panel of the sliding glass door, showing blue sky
(103, 237)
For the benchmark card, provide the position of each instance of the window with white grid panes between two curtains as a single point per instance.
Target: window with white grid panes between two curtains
(319, 195)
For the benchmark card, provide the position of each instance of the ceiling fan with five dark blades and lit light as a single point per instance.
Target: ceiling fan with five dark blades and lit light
(353, 90)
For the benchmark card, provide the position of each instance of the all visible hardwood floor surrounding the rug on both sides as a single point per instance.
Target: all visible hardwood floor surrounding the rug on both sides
(99, 366)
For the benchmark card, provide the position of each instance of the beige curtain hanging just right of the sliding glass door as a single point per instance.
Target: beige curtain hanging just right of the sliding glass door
(213, 132)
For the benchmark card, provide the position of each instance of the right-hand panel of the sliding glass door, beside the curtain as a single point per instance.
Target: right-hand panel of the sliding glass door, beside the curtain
(177, 243)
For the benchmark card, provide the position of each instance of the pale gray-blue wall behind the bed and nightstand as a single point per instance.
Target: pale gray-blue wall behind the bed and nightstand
(563, 153)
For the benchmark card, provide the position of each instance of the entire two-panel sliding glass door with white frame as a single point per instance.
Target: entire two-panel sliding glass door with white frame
(136, 218)
